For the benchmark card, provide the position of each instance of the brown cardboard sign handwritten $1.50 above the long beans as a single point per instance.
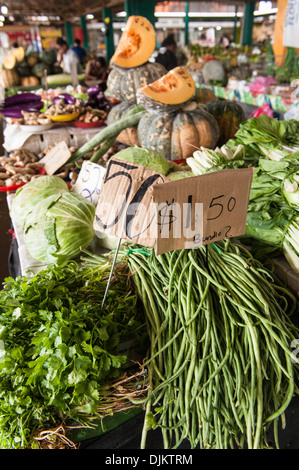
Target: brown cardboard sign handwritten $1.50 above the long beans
(202, 209)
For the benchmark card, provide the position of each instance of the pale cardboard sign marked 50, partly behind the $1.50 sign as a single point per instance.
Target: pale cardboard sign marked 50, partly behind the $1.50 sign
(125, 205)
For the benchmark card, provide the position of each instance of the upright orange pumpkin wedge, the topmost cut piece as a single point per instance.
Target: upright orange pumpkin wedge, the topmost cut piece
(137, 43)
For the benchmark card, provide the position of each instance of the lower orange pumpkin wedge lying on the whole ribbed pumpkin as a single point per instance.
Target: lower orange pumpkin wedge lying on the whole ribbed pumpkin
(175, 87)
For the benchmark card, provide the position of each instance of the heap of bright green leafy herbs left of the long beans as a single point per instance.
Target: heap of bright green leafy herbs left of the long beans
(60, 346)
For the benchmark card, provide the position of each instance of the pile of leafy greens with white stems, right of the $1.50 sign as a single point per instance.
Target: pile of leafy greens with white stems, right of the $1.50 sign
(270, 146)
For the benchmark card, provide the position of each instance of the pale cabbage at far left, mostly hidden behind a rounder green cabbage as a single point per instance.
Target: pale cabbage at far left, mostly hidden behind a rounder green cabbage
(31, 193)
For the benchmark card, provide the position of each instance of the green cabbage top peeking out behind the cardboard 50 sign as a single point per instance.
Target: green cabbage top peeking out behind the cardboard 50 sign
(149, 158)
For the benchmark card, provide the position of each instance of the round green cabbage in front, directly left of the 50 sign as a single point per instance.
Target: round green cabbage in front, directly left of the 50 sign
(58, 227)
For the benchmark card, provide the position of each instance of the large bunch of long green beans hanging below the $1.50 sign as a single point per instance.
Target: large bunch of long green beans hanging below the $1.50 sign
(220, 362)
